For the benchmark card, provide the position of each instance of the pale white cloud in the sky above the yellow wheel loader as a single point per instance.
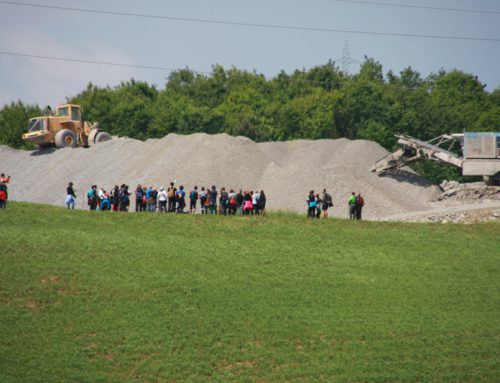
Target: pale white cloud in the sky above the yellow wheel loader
(49, 82)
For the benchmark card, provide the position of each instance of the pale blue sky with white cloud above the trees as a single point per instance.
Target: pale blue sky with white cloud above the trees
(175, 44)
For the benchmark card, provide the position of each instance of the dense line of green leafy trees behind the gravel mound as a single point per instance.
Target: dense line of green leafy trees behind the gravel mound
(322, 102)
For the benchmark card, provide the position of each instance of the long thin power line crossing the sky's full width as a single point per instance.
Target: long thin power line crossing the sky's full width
(254, 25)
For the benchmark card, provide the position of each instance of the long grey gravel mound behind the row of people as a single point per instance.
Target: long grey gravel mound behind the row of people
(286, 171)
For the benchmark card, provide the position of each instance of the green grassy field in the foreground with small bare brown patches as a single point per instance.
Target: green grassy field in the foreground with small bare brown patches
(111, 297)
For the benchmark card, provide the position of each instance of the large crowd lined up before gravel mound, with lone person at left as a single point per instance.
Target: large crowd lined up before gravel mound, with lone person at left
(173, 199)
